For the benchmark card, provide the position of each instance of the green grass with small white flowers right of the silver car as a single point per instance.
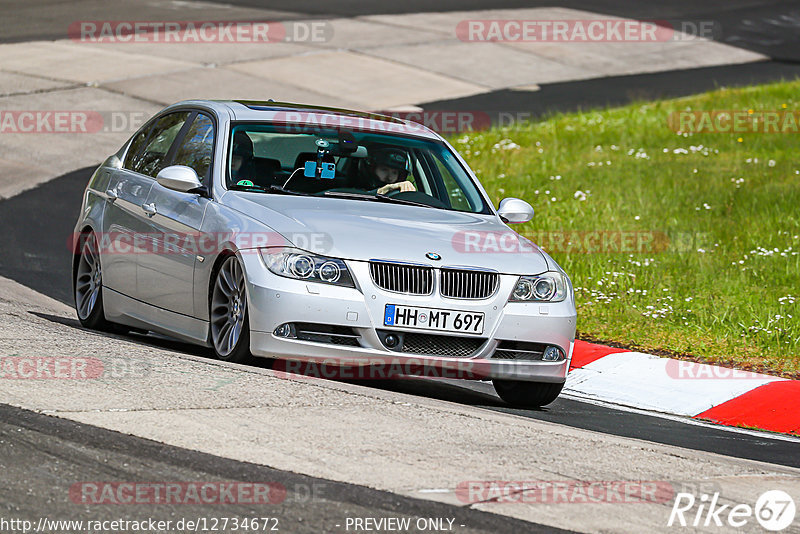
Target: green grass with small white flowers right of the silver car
(726, 221)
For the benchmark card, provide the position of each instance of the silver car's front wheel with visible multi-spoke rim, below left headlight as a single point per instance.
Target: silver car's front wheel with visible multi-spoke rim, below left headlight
(229, 317)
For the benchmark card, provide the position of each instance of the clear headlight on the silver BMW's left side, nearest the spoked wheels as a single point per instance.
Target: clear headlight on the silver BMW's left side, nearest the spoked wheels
(301, 265)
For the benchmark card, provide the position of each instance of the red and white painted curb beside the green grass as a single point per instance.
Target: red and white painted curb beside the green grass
(700, 391)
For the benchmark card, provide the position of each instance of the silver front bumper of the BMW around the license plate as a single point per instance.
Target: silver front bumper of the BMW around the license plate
(276, 300)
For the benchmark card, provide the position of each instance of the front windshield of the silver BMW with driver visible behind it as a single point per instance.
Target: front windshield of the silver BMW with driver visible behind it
(356, 165)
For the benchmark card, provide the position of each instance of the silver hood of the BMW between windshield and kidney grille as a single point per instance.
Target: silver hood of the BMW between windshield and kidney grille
(365, 230)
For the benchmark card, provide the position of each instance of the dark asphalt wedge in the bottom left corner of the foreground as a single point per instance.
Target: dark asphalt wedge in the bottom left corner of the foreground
(35, 444)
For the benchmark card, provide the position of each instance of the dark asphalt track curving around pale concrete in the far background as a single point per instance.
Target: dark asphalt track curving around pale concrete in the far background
(767, 27)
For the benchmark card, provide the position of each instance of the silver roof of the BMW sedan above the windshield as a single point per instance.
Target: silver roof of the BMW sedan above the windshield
(271, 111)
